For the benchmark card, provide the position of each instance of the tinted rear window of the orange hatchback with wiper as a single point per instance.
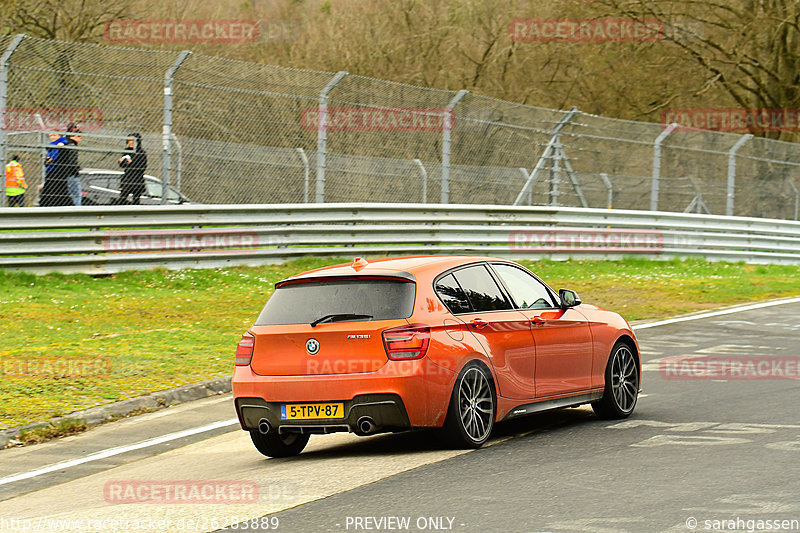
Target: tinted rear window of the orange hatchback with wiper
(309, 301)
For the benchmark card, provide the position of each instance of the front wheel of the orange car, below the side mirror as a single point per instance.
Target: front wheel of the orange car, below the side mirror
(622, 384)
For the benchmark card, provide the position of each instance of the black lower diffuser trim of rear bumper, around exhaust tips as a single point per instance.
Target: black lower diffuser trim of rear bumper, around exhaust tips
(386, 411)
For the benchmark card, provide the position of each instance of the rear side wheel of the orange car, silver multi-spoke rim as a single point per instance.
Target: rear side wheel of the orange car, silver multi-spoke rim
(473, 405)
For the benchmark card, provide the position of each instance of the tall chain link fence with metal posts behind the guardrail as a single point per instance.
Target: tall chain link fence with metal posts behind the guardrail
(224, 131)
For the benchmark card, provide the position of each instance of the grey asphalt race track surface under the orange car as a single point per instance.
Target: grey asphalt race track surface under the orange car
(703, 452)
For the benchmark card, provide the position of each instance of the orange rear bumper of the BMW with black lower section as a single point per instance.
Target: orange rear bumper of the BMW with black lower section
(400, 395)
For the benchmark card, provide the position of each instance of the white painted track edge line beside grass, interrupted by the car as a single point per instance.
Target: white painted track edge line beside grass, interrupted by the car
(230, 422)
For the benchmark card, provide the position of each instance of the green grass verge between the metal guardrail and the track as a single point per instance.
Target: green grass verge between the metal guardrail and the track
(71, 342)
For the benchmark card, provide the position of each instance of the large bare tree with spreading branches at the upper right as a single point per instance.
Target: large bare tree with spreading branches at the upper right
(747, 49)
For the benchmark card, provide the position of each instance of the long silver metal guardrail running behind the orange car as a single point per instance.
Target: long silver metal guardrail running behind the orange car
(101, 240)
